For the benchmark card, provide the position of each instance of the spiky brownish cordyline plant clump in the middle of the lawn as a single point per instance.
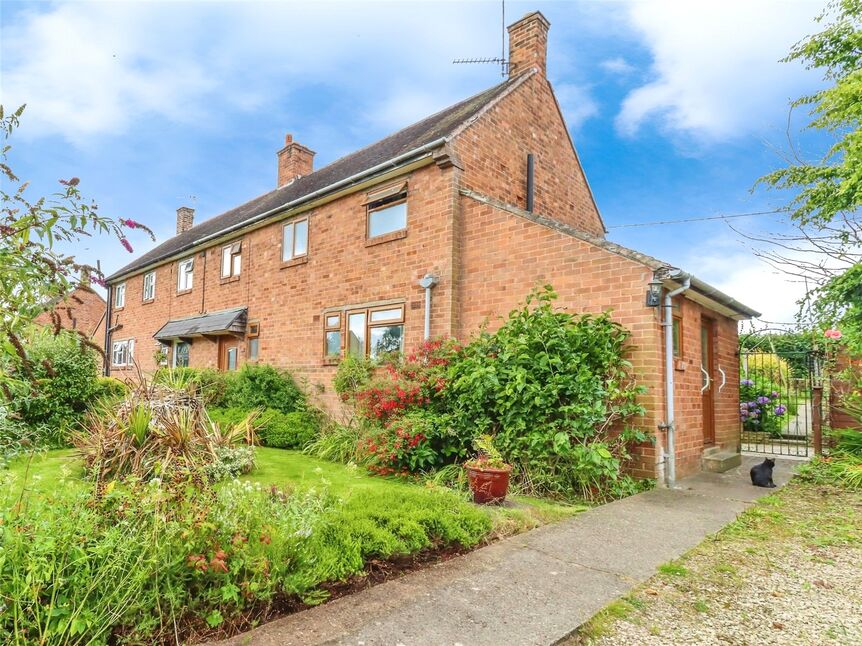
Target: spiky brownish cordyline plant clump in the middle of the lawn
(156, 430)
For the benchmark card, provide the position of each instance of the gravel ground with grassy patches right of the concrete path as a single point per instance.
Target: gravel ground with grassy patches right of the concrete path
(788, 571)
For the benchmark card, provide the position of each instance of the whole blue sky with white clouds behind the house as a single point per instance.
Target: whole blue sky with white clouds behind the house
(675, 107)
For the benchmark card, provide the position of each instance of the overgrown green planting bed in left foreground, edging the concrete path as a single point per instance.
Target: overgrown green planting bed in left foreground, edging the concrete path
(151, 563)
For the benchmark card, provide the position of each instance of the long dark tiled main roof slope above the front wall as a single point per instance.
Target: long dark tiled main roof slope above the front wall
(440, 125)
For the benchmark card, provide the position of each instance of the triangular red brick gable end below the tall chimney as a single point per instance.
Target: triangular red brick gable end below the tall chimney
(493, 152)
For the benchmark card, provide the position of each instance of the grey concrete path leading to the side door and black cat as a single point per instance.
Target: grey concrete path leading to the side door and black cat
(532, 589)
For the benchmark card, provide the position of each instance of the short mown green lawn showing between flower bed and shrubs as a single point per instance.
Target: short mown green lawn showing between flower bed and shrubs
(49, 471)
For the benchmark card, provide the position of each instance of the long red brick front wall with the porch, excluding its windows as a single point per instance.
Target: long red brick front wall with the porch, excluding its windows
(288, 301)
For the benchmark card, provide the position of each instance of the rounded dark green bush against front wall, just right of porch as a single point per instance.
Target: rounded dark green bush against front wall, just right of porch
(262, 386)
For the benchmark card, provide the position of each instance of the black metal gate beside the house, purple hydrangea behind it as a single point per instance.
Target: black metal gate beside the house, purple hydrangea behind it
(780, 403)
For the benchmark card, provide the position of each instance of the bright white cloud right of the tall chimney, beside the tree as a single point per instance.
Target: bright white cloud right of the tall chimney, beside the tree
(715, 65)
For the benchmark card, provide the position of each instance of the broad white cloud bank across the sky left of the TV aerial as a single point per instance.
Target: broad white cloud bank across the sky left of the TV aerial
(87, 69)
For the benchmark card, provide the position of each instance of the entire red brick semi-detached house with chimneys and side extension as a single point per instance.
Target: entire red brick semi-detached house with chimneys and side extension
(432, 231)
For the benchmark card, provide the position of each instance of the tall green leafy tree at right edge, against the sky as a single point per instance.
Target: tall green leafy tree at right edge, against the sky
(827, 250)
